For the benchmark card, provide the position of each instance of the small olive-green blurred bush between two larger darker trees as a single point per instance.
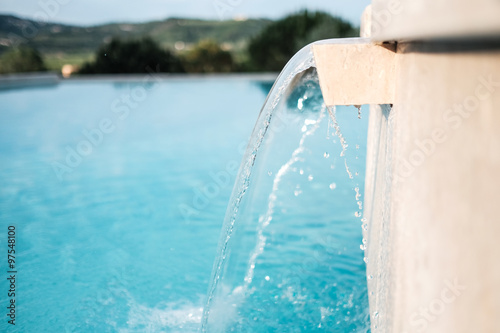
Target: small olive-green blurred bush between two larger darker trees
(208, 57)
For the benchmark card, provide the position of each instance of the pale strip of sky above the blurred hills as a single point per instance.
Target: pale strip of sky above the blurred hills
(93, 12)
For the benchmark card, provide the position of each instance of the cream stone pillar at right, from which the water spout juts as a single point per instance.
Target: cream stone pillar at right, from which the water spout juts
(432, 183)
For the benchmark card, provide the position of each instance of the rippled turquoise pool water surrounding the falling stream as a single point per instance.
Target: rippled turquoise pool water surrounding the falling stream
(118, 191)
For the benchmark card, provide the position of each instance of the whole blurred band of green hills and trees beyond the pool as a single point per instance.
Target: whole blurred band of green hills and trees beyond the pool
(176, 45)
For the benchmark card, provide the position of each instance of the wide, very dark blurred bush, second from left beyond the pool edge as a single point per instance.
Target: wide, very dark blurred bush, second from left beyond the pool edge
(133, 56)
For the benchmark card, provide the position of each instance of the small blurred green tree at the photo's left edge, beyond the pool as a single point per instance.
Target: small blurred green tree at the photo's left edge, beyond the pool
(21, 59)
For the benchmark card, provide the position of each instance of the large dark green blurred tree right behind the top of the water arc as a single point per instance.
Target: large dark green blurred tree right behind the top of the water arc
(278, 42)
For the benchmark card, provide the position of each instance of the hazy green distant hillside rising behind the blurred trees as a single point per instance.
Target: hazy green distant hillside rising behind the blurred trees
(60, 43)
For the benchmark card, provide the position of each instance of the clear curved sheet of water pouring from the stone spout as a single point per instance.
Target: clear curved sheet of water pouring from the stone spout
(289, 257)
